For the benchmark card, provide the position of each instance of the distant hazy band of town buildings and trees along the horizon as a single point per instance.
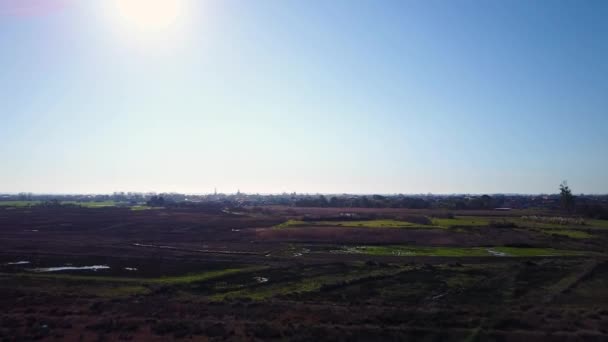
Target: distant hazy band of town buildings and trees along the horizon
(585, 205)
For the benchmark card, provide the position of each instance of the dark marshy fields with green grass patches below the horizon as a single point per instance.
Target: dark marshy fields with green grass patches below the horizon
(102, 271)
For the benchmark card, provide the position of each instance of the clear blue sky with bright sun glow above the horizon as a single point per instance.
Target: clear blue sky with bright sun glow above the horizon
(312, 96)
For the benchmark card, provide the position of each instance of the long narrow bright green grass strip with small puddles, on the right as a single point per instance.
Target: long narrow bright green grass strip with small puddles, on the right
(459, 251)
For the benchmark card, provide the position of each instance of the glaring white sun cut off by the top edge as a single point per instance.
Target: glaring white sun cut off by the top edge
(150, 15)
